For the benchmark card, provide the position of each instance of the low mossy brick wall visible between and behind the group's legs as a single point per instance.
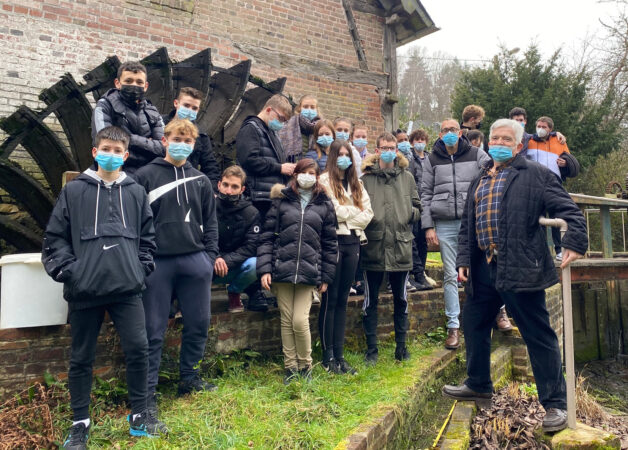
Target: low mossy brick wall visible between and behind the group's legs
(25, 354)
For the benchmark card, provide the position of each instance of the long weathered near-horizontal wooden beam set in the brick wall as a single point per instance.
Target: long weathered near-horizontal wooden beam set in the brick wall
(292, 63)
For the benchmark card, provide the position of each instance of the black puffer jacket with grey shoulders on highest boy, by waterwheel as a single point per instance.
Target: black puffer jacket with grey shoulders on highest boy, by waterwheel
(143, 123)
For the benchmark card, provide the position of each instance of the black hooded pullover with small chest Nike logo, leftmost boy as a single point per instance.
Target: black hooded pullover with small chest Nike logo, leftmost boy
(99, 240)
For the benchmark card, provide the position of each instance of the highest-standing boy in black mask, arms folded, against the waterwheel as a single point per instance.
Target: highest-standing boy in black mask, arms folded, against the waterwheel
(126, 107)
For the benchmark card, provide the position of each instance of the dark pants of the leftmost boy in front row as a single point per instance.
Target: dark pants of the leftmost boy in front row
(128, 317)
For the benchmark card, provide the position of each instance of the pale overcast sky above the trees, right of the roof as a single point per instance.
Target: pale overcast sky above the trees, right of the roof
(476, 29)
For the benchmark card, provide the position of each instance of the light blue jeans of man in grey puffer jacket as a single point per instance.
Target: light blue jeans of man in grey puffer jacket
(447, 232)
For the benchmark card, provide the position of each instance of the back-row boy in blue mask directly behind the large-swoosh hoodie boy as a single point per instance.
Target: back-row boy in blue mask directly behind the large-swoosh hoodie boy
(186, 106)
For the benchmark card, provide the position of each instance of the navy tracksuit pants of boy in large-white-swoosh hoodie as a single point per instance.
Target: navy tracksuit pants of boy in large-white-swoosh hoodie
(189, 277)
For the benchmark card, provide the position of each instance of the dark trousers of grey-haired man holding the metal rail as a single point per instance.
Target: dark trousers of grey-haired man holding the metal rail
(529, 311)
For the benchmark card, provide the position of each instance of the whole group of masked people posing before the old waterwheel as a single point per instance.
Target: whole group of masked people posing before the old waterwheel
(307, 213)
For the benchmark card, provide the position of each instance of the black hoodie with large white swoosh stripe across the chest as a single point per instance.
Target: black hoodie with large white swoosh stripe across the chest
(184, 208)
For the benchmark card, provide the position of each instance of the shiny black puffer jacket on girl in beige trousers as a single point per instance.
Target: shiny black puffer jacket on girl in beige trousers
(298, 246)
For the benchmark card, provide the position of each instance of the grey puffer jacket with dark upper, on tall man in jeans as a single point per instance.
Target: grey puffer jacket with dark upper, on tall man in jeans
(446, 179)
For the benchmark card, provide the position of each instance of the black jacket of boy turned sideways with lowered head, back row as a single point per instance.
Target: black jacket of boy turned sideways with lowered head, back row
(260, 154)
